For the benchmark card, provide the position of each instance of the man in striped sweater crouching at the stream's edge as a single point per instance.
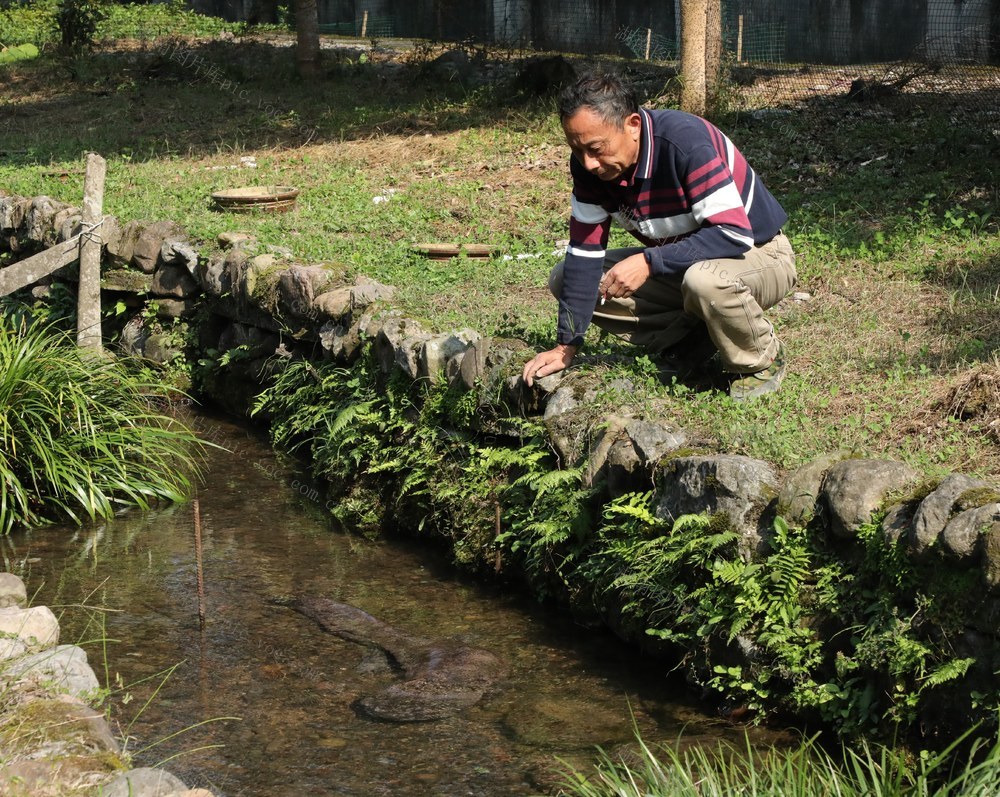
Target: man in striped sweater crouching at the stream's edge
(713, 257)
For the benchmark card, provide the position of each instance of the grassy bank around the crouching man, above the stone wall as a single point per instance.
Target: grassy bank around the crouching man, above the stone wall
(893, 217)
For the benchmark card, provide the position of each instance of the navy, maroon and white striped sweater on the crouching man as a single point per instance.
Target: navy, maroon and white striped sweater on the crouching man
(691, 197)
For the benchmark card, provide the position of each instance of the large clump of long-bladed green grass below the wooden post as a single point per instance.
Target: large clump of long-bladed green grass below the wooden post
(80, 437)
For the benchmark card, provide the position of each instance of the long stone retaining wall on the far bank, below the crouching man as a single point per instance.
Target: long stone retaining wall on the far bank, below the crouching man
(256, 301)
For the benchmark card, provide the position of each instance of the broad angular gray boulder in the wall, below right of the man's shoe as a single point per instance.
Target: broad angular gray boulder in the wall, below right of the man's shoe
(736, 486)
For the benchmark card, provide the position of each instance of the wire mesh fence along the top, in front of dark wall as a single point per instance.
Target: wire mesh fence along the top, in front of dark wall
(779, 51)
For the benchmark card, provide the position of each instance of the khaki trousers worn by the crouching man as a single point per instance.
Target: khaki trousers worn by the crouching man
(729, 295)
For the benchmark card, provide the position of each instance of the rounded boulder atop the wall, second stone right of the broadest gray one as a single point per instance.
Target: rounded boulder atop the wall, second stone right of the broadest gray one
(855, 489)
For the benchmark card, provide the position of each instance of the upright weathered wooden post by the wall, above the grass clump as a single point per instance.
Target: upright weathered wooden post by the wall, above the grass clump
(88, 306)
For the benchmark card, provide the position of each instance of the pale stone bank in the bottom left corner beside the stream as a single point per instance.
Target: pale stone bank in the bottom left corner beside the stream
(52, 741)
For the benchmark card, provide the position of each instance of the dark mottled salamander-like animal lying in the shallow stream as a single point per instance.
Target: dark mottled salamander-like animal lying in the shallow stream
(442, 676)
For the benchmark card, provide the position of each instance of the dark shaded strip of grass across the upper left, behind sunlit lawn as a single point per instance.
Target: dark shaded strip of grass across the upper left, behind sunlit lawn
(176, 98)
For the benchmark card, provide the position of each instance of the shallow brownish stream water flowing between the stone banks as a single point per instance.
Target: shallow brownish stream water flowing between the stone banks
(262, 702)
